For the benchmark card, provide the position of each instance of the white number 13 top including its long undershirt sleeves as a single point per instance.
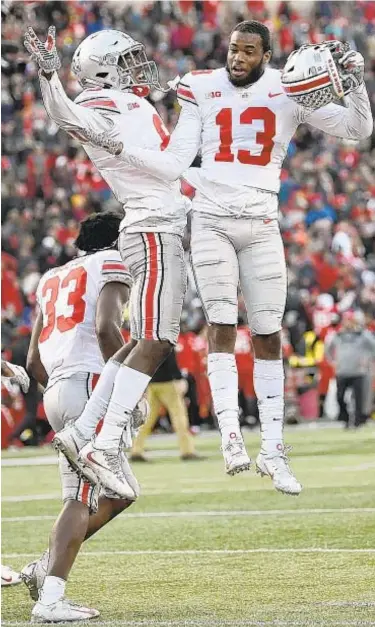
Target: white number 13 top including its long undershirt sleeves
(243, 134)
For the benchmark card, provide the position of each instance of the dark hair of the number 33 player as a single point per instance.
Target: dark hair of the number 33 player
(98, 232)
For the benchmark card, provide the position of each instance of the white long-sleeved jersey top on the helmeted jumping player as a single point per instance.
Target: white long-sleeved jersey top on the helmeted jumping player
(151, 203)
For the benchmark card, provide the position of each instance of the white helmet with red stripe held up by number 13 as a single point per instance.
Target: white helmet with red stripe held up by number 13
(313, 77)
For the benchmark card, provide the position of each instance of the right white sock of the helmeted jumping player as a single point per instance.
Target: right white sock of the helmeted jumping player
(128, 389)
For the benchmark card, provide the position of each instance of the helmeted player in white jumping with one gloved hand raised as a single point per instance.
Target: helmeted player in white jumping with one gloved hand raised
(115, 73)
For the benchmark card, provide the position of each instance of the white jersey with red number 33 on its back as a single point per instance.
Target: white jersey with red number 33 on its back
(67, 297)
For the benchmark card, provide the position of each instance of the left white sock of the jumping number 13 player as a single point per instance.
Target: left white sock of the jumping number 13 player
(223, 377)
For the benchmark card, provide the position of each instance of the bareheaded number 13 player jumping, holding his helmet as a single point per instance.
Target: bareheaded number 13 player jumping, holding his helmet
(242, 118)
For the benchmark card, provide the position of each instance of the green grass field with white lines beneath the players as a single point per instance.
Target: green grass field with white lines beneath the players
(201, 548)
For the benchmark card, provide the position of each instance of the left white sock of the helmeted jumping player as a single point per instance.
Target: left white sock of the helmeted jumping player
(97, 404)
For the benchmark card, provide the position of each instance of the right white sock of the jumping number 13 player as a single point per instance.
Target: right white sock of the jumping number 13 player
(269, 388)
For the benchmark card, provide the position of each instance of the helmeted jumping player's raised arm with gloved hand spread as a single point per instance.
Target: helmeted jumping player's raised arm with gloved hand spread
(65, 113)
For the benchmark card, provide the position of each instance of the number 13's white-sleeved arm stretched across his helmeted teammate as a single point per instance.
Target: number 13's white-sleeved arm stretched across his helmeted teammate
(170, 163)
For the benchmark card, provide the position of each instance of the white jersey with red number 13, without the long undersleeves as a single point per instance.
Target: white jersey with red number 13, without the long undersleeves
(245, 131)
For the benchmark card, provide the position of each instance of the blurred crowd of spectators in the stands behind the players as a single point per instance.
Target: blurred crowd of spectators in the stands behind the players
(48, 185)
